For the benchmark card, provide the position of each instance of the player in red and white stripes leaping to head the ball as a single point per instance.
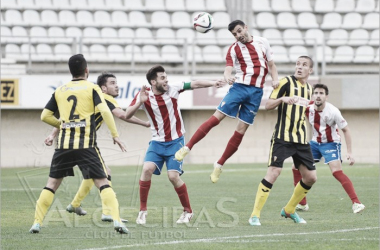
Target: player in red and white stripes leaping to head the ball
(251, 57)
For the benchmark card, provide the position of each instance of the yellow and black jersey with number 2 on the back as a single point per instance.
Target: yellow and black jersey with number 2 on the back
(76, 102)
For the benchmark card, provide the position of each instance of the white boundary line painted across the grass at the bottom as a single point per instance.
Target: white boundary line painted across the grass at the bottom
(227, 239)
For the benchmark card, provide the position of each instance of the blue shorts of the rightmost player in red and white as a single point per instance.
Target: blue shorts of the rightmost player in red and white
(330, 151)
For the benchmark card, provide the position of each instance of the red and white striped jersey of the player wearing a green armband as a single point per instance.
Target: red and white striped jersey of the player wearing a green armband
(164, 115)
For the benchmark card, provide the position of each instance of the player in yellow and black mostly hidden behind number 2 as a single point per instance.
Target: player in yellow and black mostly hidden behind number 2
(108, 84)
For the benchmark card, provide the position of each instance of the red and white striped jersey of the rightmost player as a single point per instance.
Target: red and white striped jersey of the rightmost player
(325, 123)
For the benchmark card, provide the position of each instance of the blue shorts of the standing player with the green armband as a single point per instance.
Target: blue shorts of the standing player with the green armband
(160, 152)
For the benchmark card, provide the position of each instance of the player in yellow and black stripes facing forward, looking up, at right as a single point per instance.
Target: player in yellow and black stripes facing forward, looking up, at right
(289, 139)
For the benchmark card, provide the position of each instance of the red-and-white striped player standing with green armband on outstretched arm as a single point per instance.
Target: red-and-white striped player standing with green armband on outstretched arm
(160, 103)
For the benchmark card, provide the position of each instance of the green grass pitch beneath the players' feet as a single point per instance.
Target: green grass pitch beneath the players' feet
(221, 212)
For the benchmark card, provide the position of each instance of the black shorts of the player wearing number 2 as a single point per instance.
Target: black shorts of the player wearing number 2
(89, 161)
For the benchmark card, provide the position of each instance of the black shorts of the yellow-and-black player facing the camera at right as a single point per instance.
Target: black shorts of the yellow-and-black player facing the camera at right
(301, 154)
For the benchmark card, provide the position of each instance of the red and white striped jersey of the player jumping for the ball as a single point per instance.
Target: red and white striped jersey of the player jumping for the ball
(250, 61)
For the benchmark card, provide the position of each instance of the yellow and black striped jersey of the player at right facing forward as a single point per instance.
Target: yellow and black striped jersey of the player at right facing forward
(290, 124)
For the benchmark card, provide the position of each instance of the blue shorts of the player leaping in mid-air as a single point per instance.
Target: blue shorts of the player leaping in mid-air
(242, 99)
